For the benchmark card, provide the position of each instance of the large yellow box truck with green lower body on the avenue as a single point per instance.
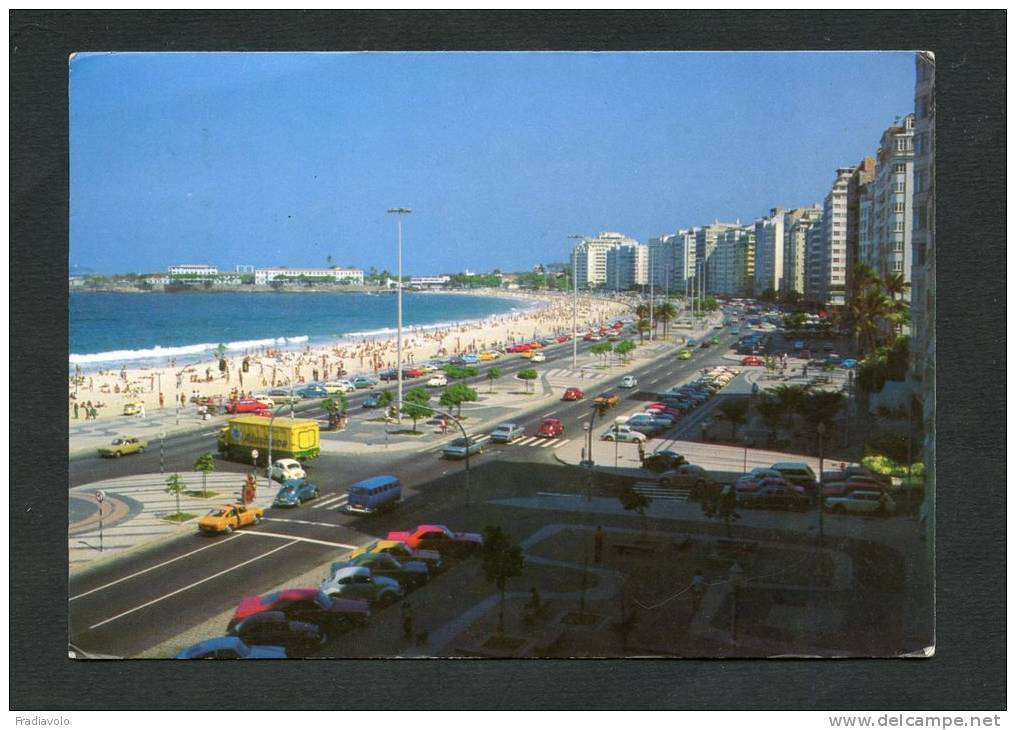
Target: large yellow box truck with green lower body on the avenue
(298, 439)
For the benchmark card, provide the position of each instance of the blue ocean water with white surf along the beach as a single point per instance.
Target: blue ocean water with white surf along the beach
(140, 329)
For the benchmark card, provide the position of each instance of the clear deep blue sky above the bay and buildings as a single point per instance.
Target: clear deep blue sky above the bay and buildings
(289, 159)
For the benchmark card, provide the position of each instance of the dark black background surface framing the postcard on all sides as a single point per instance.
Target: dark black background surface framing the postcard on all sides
(969, 671)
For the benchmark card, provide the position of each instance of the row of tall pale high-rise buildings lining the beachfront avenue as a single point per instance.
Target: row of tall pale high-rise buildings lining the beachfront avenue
(868, 216)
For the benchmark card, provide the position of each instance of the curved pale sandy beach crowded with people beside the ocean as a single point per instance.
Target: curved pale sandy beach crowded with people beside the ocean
(178, 382)
